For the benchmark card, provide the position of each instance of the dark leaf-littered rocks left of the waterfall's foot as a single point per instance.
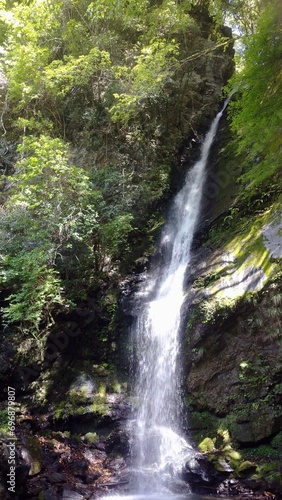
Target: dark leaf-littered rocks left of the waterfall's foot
(70, 467)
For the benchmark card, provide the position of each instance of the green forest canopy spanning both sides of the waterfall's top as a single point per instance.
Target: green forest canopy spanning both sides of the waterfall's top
(93, 111)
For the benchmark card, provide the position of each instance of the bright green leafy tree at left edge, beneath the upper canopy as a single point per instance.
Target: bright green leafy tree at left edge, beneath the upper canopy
(47, 196)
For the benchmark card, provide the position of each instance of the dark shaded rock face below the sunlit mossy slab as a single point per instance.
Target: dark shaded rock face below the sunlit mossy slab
(234, 365)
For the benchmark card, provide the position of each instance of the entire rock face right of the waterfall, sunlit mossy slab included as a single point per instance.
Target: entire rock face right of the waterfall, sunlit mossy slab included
(232, 316)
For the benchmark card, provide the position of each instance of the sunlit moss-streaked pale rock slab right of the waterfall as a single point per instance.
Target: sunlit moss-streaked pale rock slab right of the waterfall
(244, 248)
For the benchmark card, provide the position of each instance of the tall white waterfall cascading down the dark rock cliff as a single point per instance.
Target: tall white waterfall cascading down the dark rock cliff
(158, 447)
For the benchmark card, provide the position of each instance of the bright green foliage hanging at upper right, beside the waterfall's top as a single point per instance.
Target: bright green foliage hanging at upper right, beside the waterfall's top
(256, 115)
